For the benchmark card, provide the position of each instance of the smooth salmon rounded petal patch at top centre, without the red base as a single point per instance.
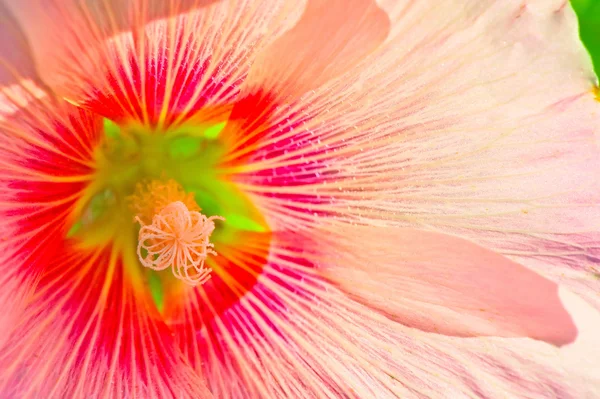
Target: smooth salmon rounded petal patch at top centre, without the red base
(330, 38)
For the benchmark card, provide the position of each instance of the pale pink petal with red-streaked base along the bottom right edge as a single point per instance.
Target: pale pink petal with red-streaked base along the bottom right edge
(295, 335)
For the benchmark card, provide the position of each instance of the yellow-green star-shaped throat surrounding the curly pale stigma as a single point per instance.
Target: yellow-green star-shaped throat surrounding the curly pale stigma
(133, 154)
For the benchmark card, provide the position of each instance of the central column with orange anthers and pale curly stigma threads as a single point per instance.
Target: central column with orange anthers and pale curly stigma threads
(173, 232)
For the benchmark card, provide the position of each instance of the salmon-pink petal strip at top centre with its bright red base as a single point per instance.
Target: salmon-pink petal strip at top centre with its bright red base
(328, 39)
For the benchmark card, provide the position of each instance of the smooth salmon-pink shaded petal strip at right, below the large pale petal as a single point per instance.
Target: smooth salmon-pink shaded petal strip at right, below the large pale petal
(445, 284)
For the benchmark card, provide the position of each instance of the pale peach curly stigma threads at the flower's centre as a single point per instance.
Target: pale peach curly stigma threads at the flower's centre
(178, 238)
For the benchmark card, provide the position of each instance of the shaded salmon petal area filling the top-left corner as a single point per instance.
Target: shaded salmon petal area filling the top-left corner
(49, 35)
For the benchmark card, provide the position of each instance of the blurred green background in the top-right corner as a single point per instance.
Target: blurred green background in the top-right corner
(588, 12)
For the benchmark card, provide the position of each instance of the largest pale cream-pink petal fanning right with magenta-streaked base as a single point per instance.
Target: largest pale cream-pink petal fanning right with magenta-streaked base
(476, 119)
